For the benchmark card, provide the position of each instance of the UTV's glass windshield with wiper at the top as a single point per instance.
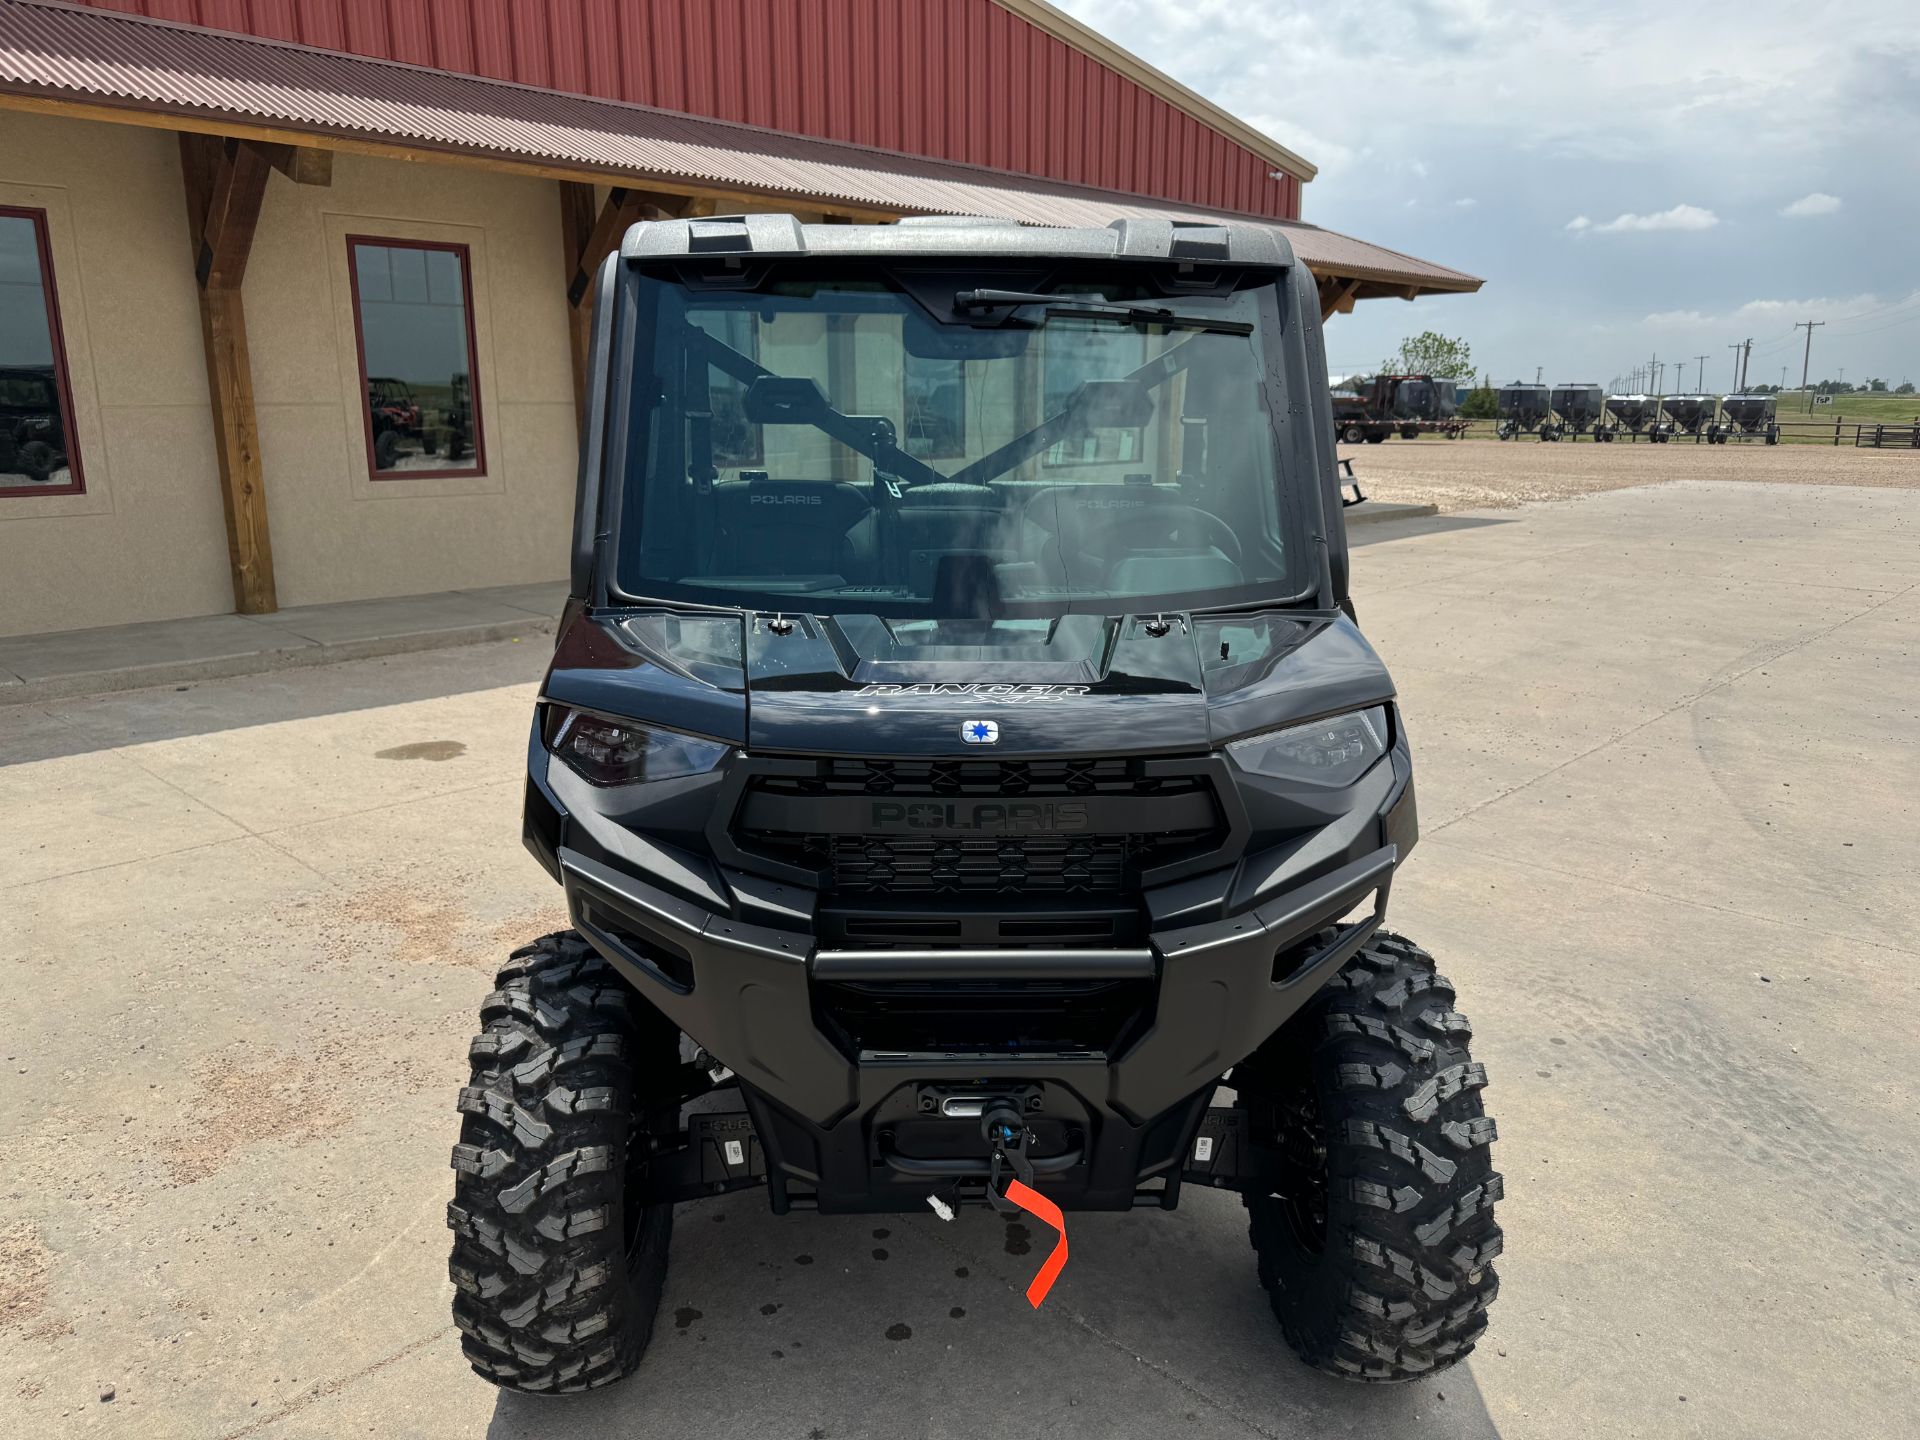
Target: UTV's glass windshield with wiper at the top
(944, 450)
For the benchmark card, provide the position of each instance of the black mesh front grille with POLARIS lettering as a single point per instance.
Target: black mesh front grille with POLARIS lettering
(1063, 828)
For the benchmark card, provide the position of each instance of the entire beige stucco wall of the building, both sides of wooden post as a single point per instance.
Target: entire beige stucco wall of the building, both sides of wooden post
(147, 540)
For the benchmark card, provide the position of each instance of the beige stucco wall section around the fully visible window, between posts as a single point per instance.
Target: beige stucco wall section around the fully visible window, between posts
(337, 533)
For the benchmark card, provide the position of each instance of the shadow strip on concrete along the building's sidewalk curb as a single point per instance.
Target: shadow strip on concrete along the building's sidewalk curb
(57, 729)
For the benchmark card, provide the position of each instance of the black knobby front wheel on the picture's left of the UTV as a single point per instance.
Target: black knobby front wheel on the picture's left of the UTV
(558, 1276)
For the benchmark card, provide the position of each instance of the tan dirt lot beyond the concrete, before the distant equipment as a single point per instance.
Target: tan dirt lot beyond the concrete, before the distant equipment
(1470, 475)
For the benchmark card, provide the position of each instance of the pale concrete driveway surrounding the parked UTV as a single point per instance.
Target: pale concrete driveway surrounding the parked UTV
(1666, 748)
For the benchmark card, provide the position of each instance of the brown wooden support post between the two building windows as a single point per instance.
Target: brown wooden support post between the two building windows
(224, 185)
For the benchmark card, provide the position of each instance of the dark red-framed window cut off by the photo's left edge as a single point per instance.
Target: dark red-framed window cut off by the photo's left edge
(37, 446)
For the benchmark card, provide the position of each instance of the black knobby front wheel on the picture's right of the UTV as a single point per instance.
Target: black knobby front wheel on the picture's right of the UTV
(1378, 1257)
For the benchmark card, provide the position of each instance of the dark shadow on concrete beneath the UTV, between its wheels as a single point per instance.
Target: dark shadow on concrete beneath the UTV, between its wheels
(900, 1326)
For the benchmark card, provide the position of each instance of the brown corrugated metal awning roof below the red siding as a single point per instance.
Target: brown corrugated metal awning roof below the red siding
(120, 62)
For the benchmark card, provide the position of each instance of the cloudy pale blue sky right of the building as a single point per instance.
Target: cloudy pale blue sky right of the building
(1631, 180)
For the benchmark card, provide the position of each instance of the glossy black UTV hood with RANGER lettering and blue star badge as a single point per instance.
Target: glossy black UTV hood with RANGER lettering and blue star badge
(859, 684)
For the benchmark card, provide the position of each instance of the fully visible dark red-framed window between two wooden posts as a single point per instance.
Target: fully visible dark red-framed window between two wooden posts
(414, 320)
